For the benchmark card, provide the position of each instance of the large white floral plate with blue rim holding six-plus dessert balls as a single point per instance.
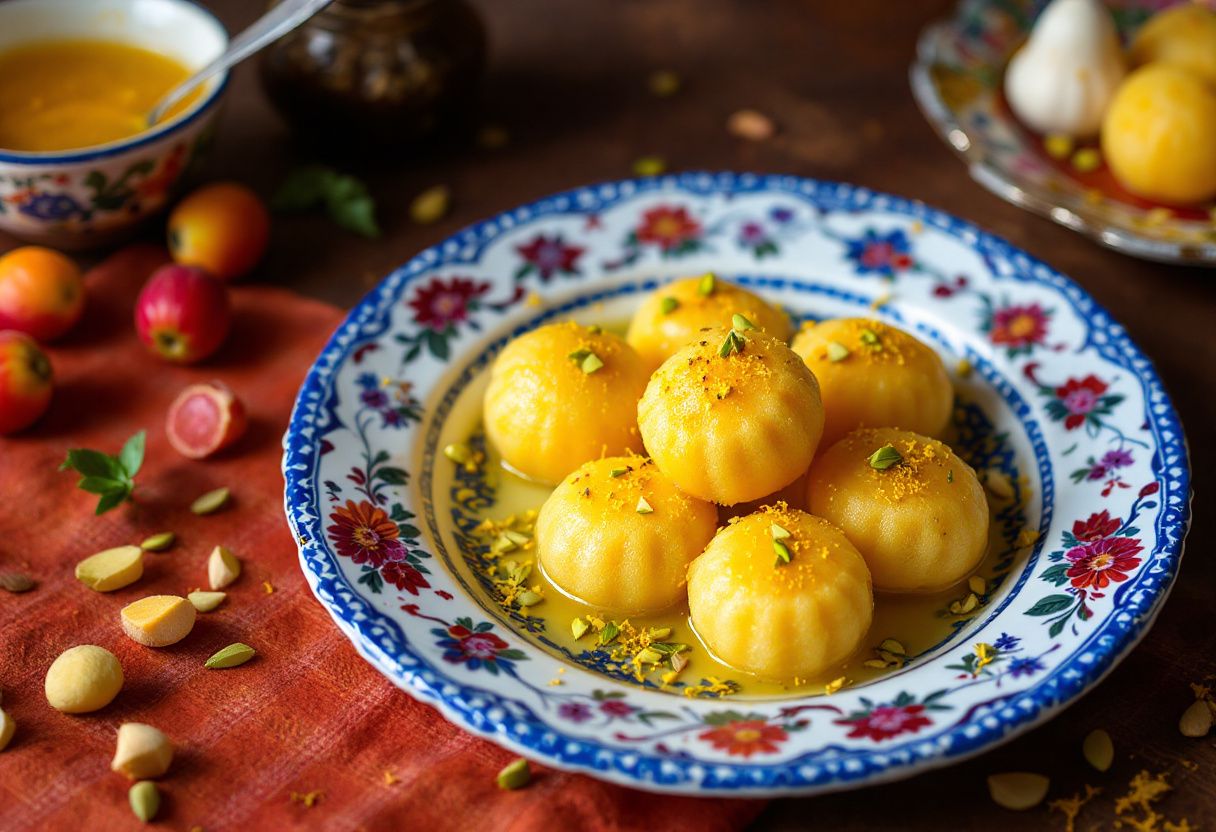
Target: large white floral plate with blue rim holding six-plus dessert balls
(1065, 418)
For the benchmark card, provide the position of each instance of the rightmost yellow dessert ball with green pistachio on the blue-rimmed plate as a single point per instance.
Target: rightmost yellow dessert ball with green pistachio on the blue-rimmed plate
(915, 511)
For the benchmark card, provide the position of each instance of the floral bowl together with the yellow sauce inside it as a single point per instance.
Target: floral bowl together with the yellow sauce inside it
(80, 166)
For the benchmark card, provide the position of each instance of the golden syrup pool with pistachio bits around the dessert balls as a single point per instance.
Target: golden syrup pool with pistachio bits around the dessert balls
(488, 501)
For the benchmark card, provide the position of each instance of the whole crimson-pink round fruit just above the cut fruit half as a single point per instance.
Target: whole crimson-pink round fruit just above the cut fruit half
(183, 314)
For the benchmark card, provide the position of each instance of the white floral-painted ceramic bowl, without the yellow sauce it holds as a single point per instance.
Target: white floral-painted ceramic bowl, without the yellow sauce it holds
(95, 196)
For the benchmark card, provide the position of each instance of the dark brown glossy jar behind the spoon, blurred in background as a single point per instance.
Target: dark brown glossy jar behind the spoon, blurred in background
(365, 74)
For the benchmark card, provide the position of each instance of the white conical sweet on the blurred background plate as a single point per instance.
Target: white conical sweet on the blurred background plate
(1062, 81)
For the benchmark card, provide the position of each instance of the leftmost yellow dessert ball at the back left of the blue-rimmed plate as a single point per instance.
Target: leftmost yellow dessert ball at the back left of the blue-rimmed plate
(561, 396)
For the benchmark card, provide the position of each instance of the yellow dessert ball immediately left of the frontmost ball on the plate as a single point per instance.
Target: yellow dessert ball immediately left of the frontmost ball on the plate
(620, 536)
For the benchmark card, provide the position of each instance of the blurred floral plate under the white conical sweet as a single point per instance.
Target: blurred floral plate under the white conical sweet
(958, 78)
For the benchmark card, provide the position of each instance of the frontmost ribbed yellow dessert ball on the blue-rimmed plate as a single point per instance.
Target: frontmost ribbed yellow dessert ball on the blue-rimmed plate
(781, 620)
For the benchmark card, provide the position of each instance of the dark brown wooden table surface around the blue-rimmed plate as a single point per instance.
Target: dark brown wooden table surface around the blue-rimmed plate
(568, 81)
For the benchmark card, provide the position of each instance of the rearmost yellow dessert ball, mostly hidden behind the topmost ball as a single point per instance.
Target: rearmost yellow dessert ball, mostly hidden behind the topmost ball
(675, 314)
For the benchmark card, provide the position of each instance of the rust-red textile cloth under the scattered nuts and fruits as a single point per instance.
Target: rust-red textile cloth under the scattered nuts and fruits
(307, 715)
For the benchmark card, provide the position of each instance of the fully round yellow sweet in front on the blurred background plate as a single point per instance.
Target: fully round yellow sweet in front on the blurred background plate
(1159, 136)
